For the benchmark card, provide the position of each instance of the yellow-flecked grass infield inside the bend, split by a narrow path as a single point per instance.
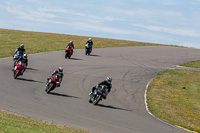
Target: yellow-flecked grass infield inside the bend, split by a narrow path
(174, 96)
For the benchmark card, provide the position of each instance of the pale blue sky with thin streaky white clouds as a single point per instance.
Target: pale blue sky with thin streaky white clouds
(174, 22)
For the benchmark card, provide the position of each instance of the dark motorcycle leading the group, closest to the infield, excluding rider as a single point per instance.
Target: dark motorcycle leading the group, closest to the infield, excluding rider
(100, 93)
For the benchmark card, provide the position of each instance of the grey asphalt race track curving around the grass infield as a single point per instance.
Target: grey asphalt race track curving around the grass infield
(124, 109)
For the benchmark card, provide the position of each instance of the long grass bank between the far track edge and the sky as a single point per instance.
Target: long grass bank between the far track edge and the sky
(36, 42)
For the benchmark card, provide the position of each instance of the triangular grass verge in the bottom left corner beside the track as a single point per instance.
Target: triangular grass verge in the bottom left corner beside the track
(10, 123)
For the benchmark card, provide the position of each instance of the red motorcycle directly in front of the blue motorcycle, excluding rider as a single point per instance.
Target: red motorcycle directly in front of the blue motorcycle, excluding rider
(19, 69)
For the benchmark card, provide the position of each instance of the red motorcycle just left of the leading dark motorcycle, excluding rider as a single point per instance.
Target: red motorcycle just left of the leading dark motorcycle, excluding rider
(51, 84)
